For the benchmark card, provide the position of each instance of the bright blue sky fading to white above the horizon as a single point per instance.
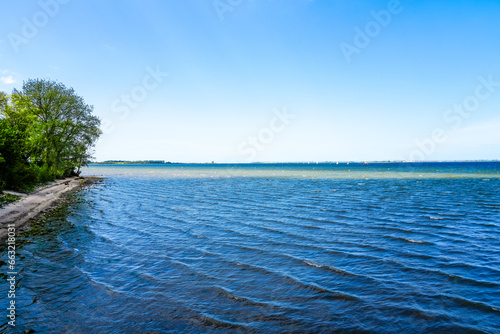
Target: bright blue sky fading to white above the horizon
(269, 80)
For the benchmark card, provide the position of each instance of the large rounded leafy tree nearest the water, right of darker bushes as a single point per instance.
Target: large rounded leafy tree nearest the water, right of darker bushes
(66, 131)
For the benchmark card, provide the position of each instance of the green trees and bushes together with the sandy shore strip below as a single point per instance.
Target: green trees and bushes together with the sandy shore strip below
(47, 133)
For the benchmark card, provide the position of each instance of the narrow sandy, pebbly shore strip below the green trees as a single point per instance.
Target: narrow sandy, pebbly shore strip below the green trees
(31, 206)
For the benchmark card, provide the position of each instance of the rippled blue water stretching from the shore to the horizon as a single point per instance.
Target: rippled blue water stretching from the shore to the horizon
(269, 248)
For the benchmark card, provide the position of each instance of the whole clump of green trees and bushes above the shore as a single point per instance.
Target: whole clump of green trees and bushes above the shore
(46, 131)
